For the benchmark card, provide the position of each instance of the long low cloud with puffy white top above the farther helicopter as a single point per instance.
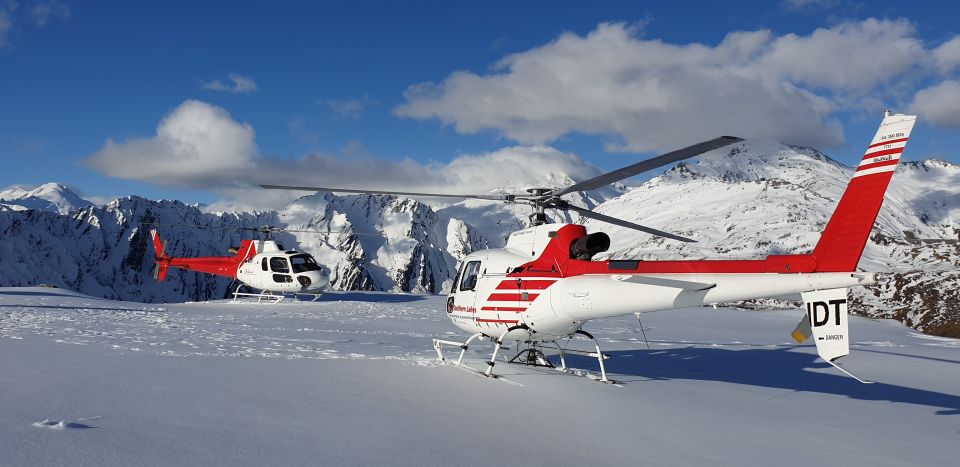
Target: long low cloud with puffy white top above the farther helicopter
(199, 145)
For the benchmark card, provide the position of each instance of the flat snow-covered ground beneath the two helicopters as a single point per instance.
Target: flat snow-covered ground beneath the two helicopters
(352, 380)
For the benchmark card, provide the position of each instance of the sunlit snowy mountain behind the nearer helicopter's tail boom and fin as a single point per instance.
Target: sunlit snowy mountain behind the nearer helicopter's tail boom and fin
(759, 199)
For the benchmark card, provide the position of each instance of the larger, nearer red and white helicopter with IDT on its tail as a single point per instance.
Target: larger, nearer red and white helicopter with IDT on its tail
(543, 285)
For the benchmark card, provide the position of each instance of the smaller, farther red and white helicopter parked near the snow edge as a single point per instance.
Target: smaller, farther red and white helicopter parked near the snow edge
(258, 264)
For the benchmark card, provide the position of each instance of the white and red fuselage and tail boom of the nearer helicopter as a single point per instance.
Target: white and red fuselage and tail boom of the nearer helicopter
(534, 285)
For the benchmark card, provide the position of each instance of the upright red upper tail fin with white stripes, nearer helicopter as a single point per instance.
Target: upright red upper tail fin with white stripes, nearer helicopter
(846, 234)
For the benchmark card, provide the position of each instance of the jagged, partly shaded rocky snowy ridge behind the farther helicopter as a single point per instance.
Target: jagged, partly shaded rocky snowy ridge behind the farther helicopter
(374, 243)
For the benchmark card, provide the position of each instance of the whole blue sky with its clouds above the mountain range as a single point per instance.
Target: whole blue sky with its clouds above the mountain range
(340, 82)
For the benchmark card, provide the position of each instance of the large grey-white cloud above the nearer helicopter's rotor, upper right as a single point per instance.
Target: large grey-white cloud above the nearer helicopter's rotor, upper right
(646, 94)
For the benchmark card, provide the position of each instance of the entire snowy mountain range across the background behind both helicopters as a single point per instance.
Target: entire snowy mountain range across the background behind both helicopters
(749, 201)
